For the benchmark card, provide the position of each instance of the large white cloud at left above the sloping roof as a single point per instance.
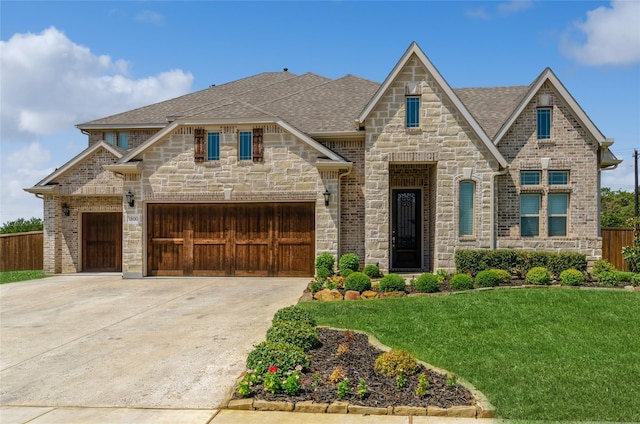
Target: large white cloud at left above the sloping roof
(49, 83)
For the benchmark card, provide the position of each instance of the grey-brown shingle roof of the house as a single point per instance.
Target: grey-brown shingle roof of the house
(309, 102)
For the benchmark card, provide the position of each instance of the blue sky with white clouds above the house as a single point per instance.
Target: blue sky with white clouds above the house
(65, 63)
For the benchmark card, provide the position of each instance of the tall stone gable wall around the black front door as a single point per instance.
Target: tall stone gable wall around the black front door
(443, 138)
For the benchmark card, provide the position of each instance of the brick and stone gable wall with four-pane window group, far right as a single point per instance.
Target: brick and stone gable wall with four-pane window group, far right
(569, 149)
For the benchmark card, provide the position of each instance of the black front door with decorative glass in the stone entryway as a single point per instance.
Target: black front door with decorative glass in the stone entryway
(406, 234)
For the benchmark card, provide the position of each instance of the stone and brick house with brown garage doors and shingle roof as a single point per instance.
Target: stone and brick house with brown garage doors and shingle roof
(257, 176)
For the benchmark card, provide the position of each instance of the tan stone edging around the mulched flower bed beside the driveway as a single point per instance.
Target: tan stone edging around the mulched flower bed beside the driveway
(481, 409)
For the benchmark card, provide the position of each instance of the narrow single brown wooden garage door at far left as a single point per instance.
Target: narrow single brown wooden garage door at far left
(102, 242)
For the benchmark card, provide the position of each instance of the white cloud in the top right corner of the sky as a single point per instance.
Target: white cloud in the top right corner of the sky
(609, 36)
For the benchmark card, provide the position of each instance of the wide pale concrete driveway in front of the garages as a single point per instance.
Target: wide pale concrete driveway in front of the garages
(101, 341)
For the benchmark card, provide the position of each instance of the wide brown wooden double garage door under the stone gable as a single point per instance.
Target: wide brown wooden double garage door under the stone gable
(275, 239)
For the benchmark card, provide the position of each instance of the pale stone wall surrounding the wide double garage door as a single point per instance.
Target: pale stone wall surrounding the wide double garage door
(169, 174)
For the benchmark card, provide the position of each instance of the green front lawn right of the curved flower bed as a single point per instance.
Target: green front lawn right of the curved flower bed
(543, 354)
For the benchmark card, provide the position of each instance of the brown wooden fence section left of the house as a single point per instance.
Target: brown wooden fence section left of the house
(21, 251)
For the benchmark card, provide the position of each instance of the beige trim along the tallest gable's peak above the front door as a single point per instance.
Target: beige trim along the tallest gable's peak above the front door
(414, 49)
